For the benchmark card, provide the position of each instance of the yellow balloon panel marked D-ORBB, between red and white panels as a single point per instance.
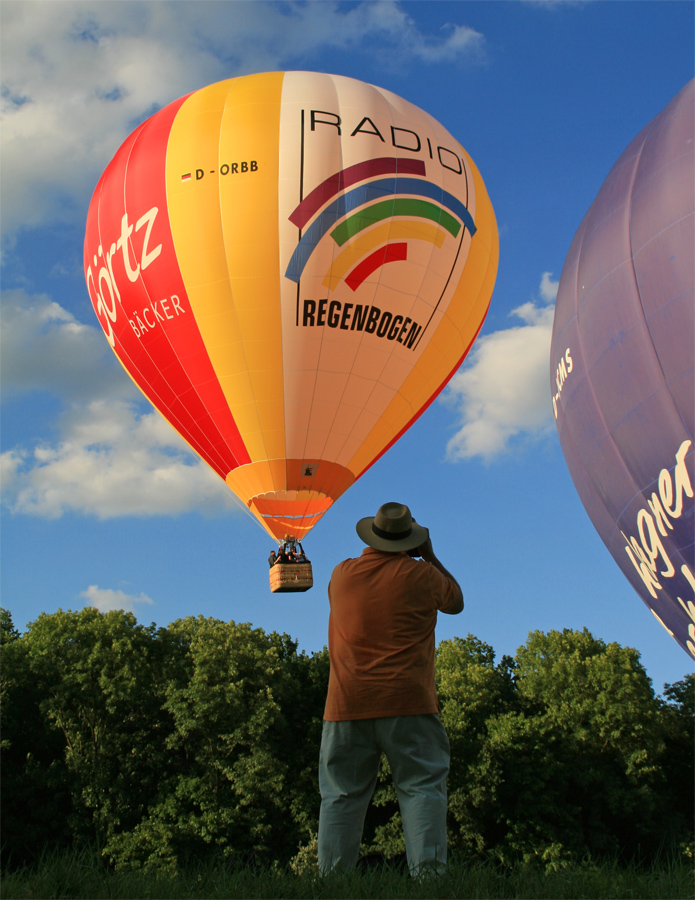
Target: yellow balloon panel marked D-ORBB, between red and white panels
(224, 239)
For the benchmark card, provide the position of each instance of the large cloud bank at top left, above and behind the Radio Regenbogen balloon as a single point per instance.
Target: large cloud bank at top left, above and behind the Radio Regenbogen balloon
(78, 76)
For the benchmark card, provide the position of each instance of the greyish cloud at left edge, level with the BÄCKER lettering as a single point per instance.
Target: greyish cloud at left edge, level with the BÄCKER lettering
(44, 348)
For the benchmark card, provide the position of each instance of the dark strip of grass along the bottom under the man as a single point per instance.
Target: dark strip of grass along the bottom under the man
(75, 876)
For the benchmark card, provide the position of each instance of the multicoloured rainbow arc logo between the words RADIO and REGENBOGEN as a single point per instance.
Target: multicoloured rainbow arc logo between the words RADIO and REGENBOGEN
(371, 210)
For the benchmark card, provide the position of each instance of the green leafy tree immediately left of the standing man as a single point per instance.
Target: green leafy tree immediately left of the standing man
(245, 711)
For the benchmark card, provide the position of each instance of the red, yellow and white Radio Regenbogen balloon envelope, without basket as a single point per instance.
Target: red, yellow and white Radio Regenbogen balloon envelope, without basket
(291, 266)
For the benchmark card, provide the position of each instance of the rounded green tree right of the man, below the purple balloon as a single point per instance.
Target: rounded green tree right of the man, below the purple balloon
(594, 779)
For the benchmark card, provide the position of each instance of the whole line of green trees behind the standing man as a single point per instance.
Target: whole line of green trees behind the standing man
(162, 745)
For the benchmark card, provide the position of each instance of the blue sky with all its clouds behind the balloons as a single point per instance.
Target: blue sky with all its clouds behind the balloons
(103, 504)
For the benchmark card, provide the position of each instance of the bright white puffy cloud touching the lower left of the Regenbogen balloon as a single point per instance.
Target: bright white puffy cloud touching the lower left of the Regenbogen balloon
(112, 460)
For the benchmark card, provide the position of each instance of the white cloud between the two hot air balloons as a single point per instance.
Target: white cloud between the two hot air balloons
(502, 393)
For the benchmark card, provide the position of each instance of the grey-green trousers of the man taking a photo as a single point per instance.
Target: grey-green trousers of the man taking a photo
(417, 748)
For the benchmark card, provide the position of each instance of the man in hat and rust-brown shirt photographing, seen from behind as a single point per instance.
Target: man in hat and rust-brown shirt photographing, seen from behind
(381, 691)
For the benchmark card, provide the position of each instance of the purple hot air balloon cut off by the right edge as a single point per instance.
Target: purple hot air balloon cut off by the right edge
(622, 365)
